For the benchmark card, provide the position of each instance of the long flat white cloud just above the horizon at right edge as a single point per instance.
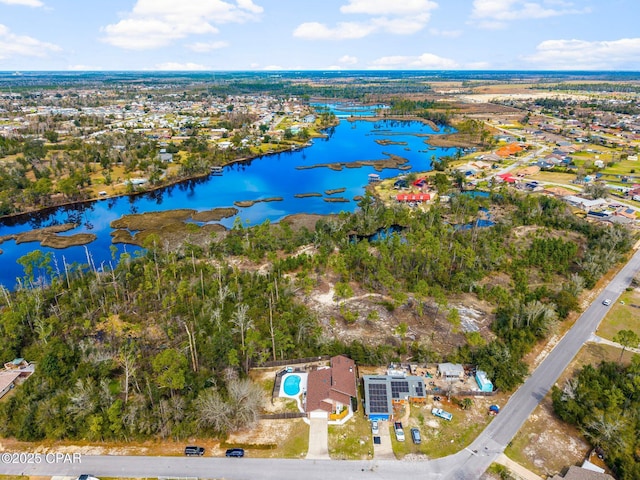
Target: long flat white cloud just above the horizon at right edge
(583, 55)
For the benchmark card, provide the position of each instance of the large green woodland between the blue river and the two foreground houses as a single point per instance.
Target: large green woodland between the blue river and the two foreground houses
(160, 344)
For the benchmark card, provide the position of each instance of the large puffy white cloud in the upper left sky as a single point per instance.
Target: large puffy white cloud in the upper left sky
(157, 23)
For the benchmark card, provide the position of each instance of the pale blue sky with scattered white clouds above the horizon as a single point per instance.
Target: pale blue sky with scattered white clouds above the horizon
(319, 34)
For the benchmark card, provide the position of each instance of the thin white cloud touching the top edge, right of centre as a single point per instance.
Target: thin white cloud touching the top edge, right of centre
(493, 14)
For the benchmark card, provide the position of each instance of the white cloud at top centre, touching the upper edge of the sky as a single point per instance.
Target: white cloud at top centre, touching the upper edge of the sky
(384, 16)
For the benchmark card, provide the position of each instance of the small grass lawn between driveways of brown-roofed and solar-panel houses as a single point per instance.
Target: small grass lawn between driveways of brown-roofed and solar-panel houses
(351, 441)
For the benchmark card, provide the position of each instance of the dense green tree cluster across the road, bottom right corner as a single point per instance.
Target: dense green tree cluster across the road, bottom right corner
(604, 402)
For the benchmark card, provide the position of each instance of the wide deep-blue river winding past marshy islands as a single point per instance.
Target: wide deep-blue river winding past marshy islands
(268, 176)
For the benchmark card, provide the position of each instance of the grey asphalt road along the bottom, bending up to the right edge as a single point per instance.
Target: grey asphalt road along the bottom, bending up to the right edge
(470, 463)
